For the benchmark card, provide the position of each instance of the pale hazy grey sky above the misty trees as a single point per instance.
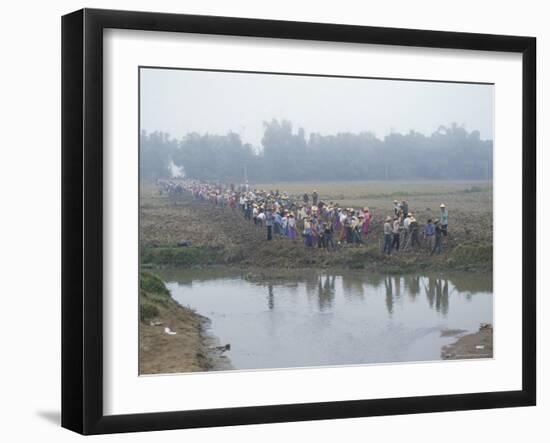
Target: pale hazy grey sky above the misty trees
(179, 102)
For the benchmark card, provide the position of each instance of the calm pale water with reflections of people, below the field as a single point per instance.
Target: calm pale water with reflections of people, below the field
(290, 319)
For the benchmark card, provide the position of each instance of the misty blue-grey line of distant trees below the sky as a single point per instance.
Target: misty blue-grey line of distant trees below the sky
(450, 153)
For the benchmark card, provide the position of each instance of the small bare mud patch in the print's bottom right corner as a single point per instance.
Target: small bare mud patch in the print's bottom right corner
(476, 345)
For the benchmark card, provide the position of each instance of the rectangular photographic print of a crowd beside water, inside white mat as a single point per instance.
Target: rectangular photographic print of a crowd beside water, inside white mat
(293, 221)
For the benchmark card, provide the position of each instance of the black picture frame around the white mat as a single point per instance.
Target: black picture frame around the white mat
(82, 219)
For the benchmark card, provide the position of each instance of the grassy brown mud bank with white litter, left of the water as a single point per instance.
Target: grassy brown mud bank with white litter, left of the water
(190, 349)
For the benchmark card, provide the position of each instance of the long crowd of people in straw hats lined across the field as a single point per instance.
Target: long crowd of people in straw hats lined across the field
(317, 223)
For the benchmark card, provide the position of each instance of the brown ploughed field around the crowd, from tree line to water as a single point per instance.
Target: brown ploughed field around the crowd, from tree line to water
(221, 236)
